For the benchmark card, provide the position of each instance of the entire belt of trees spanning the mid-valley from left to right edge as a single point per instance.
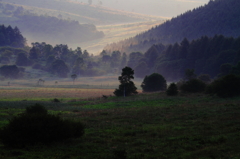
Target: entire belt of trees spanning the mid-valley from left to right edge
(211, 56)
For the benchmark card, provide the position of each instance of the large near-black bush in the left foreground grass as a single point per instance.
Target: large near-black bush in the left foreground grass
(33, 128)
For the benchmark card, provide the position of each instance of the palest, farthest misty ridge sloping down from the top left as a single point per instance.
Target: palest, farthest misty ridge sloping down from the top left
(82, 12)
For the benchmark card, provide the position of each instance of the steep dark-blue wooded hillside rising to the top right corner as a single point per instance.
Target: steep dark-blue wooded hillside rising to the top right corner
(220, 17)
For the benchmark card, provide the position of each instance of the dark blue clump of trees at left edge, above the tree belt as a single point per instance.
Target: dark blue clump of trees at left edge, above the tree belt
(11, 37)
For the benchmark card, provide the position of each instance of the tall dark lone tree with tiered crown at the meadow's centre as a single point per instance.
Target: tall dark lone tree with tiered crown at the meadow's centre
(126, 87)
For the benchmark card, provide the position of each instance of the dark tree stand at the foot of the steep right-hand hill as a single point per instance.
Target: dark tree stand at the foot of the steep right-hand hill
(205, 55)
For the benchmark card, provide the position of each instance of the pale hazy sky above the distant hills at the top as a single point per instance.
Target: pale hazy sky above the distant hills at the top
(165, 8)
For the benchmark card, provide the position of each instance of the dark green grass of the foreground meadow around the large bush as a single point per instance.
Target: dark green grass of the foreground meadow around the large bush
(143, 127)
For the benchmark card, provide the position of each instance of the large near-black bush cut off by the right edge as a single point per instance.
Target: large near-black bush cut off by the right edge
(227, 86)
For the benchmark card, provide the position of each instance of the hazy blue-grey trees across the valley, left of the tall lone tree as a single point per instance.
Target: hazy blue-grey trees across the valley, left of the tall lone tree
(59, 60)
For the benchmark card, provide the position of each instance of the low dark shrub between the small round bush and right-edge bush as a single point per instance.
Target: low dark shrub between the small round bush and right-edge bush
(193, 86)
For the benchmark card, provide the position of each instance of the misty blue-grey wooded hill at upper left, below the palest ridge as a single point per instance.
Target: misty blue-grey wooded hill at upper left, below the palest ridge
(46, 28)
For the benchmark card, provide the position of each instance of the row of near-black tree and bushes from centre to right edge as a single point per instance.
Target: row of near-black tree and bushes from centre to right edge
(224, 87)
